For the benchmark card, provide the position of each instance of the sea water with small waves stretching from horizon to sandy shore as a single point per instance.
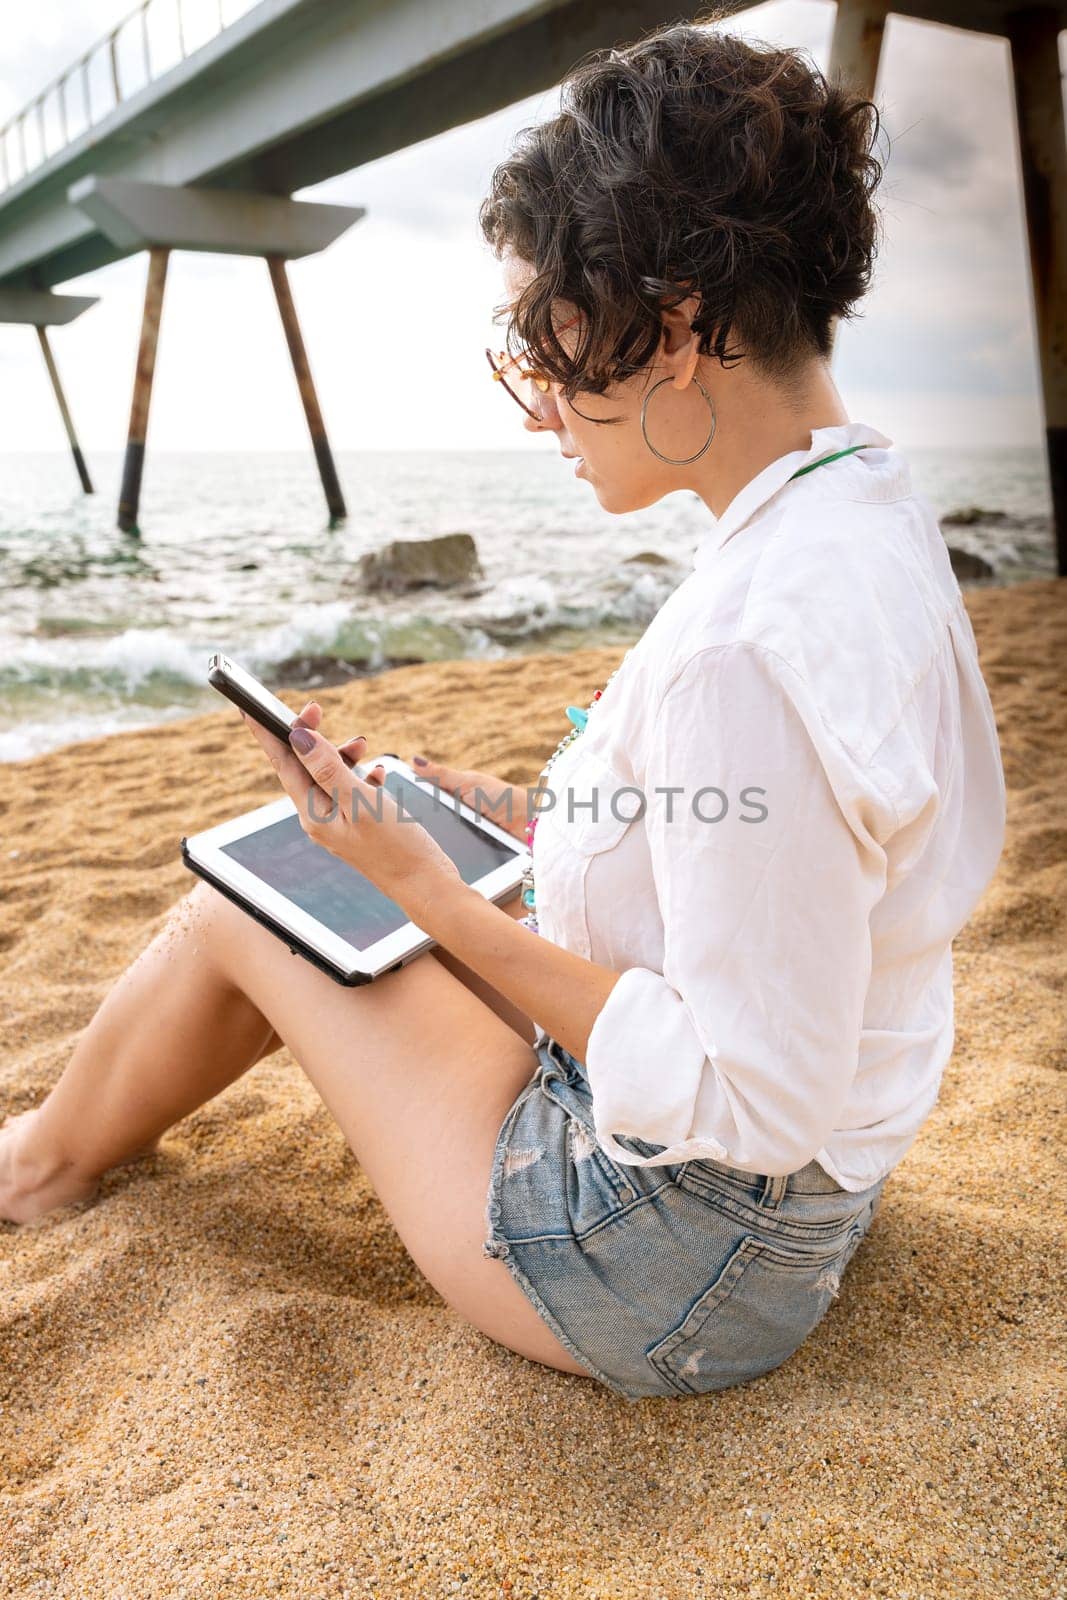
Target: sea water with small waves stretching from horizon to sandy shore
(103, 631)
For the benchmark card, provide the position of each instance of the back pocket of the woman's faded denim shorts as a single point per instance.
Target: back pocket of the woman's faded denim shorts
(762, 1305)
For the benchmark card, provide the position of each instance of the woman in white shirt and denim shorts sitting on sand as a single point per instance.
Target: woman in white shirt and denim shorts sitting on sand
(641, 1135)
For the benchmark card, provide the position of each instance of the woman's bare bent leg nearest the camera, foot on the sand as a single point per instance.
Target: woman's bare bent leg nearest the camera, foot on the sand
(418, 1071)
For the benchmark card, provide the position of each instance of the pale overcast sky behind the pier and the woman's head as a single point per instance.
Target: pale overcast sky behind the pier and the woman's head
(398, 313)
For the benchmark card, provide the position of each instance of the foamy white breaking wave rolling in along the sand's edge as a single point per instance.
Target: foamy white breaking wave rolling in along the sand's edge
(74, 682)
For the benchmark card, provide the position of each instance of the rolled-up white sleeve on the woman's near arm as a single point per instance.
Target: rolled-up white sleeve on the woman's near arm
(745, 1049)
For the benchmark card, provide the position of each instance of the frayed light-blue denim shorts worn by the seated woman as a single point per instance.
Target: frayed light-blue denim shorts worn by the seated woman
(661, 1281)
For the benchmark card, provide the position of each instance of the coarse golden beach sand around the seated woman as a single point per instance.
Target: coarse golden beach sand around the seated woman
(228, 1378)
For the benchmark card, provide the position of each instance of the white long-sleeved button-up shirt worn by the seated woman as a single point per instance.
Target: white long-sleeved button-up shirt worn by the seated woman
(781, 812)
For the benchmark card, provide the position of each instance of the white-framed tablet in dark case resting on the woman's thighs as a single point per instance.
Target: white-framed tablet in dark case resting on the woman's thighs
(326, 910)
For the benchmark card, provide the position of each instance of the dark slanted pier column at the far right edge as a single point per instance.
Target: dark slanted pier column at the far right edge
(1033, 36)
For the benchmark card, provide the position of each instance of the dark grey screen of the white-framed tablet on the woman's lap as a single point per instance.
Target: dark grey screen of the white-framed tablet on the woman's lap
(340, 897)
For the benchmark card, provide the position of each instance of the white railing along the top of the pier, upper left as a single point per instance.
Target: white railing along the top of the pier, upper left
(151, 41)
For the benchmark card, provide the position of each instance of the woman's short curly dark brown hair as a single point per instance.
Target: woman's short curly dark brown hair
(690, 162)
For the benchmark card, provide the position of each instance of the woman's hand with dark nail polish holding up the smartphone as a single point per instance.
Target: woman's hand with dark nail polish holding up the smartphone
(354, 818)
